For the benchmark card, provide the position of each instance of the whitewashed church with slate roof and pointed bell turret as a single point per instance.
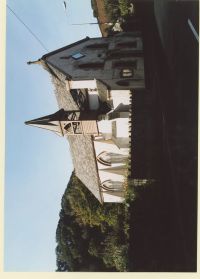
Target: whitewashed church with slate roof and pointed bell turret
(93, 81)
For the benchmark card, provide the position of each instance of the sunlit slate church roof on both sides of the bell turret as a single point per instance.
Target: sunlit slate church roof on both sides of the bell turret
(81, 146)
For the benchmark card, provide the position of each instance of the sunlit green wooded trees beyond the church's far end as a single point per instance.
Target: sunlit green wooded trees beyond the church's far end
(91, 236)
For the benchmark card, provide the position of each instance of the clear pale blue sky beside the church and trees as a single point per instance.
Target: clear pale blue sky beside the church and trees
(38, 163)
